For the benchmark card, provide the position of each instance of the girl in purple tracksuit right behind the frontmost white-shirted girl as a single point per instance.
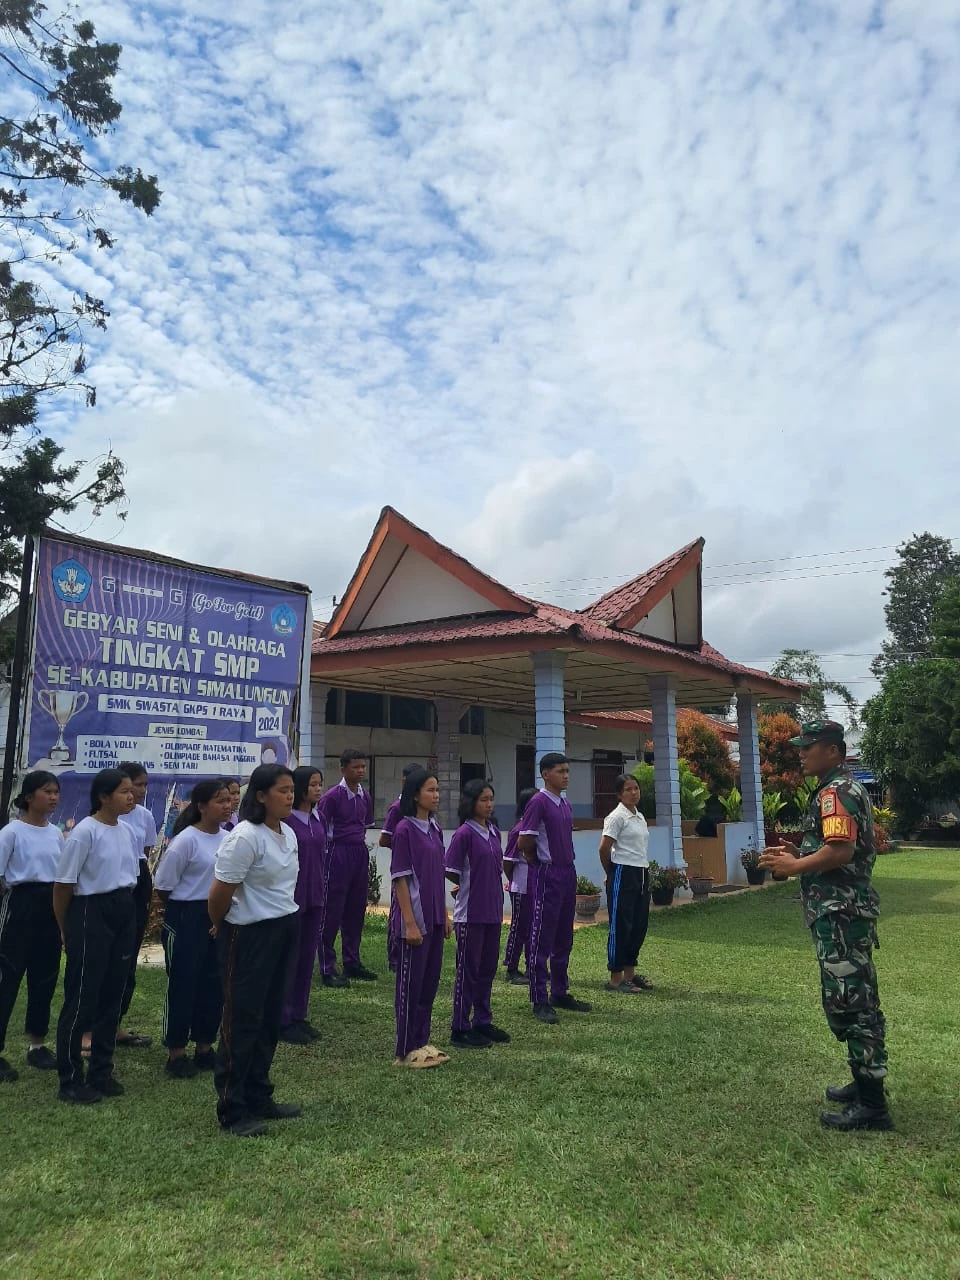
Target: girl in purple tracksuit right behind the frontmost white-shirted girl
(312, 845)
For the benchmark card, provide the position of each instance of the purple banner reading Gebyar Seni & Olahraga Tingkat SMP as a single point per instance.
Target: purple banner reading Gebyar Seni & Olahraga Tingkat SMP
(191, 673)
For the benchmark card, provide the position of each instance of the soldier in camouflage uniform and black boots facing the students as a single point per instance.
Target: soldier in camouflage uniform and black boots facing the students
(835, 863)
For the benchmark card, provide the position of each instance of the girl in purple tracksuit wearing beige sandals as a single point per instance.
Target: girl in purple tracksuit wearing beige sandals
(417, 877)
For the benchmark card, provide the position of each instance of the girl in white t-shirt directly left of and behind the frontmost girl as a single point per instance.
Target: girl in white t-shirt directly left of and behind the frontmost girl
(184, 879)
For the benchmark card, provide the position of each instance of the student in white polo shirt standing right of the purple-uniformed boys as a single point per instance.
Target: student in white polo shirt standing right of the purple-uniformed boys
(624, 856)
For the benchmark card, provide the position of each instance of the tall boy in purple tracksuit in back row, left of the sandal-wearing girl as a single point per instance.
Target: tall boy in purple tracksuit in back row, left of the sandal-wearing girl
(348, 811)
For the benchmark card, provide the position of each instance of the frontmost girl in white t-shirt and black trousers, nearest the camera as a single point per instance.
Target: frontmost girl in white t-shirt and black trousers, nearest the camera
(254, 913)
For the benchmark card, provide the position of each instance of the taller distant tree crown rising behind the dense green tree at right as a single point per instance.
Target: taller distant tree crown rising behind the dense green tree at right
(926, 565)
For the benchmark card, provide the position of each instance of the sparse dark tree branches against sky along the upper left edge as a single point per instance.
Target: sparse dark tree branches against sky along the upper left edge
(60, 98)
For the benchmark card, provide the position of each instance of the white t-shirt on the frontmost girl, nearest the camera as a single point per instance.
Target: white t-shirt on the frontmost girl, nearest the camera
(264, 866)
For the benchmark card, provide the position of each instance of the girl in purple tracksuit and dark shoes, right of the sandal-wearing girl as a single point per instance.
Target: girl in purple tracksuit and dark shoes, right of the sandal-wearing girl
(476, 865)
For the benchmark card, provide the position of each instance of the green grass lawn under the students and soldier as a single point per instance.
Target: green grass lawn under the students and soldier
(669, 1135)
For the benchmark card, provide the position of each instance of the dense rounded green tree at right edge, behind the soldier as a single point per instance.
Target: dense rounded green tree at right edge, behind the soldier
(912, 728)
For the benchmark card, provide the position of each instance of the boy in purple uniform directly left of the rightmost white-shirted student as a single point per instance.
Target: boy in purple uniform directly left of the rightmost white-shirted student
(547, 843)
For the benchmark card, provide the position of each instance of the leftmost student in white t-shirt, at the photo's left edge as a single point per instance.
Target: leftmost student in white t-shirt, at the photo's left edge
(30, 939)
